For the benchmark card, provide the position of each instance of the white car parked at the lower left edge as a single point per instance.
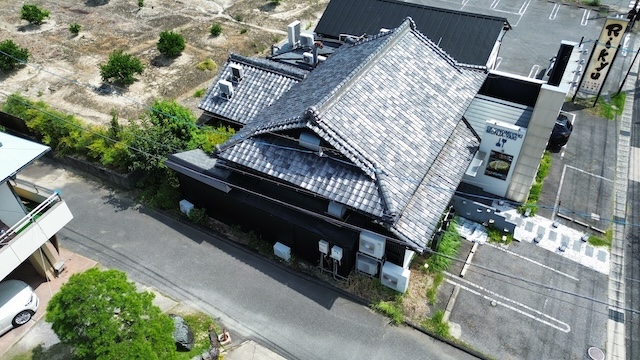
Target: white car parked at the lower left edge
(18, 303)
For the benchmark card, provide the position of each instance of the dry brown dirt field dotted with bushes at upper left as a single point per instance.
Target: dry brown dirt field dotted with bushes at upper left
(63, 69)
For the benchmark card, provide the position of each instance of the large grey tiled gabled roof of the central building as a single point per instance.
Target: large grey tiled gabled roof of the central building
(393, 106)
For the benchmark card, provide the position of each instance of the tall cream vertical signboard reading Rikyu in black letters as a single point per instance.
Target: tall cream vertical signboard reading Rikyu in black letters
(603, 54)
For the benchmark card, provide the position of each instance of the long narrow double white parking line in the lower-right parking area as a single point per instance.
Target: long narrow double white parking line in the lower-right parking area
(530, 312)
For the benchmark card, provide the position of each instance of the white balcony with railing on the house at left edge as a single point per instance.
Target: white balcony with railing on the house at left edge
(45, 213)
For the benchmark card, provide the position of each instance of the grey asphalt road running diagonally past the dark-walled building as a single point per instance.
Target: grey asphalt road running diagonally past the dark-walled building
(294, 316)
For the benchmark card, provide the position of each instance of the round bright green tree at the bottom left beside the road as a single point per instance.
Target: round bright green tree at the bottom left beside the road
(102, 316)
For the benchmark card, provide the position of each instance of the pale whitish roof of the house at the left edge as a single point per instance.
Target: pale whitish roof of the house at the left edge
(16, 154)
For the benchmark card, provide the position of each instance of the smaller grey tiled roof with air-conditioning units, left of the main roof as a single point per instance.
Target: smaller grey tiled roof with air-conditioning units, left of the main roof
(264, 81)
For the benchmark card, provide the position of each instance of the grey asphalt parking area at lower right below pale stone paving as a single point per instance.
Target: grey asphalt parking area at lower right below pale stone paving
(538, 318)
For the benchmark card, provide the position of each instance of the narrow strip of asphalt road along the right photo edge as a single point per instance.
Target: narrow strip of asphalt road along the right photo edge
(632, 249)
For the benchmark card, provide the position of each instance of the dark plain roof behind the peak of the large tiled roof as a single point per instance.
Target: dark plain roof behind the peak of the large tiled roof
(469, 38)
